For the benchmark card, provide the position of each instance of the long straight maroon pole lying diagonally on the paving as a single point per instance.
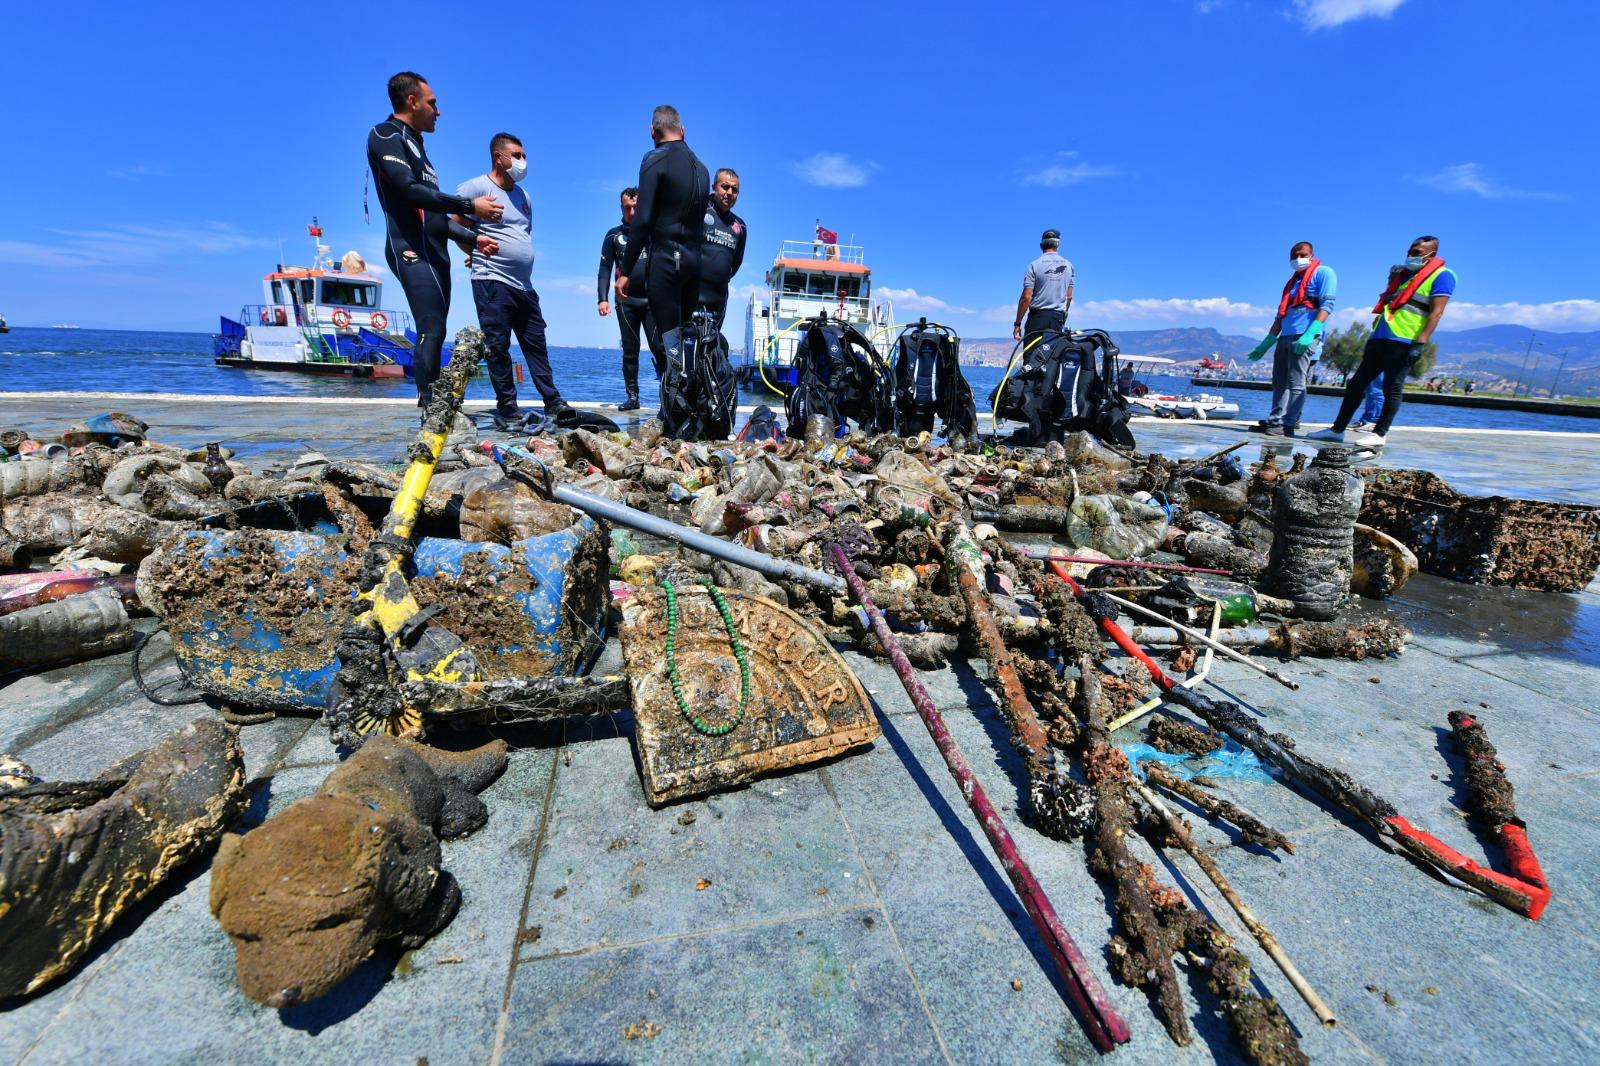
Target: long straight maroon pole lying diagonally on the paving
(1102, 1022)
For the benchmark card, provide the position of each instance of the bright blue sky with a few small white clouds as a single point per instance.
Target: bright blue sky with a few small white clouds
(156, 156)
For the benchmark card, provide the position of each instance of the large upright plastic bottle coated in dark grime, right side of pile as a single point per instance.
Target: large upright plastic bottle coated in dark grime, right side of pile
(1313, 543)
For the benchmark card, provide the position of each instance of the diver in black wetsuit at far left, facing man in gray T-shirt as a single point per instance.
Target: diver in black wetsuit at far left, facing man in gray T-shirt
(418, 218)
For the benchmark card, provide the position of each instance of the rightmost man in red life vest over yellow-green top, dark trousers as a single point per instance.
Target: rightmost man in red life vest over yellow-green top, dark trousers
(1407, 316)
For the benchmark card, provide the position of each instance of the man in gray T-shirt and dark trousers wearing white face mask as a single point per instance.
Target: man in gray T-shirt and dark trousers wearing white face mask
(503, 284)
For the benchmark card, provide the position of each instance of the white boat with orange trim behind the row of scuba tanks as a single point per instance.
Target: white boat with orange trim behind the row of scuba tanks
(809, 279)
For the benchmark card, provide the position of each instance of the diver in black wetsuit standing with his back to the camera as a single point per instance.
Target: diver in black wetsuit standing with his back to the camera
(670, 217)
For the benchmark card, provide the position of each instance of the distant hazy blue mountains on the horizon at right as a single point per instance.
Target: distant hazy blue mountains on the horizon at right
(1487, 353)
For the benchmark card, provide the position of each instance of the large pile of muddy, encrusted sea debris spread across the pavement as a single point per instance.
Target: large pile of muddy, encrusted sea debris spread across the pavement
(479, 585)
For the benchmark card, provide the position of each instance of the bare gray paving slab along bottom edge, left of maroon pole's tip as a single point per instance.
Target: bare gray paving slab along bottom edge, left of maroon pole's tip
(828, 988)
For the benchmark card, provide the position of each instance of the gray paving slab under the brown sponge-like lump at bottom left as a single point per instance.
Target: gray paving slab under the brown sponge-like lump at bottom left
(438, 1003)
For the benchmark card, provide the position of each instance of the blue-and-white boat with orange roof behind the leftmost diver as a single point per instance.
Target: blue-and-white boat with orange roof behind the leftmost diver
(326, 319)
